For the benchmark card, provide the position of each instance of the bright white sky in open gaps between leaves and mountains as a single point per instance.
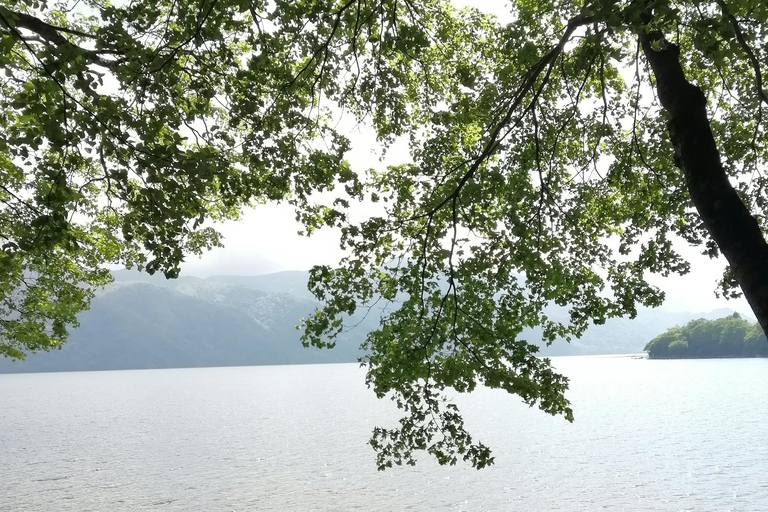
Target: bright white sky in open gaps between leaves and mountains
(265, 240)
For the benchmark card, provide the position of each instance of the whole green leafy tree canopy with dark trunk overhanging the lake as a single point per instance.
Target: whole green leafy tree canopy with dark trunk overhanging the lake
(555, 160)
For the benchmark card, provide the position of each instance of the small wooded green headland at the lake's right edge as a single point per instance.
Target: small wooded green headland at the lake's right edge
(730, 336)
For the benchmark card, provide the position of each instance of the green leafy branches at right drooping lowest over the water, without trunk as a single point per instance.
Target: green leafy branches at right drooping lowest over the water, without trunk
(543, 177)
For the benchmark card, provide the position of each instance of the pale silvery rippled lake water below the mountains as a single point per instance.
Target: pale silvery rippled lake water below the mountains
(648, 435)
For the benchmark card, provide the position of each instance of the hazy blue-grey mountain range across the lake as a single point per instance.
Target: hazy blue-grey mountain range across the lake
(143, 321)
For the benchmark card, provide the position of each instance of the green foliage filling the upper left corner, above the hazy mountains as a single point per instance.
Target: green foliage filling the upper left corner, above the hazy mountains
(124, 128)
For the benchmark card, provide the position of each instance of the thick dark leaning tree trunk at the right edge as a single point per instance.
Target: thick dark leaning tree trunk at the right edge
(725, 216)
